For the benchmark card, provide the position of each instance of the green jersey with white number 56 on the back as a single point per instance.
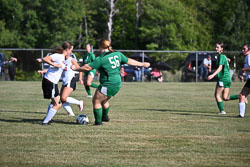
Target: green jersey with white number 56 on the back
(108, 63)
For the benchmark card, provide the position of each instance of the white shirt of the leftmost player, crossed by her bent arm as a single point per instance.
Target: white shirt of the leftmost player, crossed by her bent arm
(53, 74)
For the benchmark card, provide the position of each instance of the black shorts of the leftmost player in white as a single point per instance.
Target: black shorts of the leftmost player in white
(50, 90)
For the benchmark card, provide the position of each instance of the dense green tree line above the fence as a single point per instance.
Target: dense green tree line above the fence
(130, 24)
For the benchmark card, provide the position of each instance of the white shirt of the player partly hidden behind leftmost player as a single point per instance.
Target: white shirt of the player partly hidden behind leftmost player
(68, 73)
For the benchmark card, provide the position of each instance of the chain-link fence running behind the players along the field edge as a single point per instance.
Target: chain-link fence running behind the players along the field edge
(166, 66)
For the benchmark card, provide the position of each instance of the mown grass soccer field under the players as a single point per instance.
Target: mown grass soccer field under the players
(152, 124)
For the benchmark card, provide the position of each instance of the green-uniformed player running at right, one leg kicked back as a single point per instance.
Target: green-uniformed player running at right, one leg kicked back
(224, 79)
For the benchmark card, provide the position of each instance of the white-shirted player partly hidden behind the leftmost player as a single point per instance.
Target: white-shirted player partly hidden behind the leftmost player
(69, 85)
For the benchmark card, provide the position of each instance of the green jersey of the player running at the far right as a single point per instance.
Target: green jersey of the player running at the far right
(224, 74)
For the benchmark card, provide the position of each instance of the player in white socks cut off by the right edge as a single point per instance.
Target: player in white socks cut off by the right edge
(246, 89)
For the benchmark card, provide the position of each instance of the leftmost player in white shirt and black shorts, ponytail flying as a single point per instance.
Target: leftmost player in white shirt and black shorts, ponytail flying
(52, 77)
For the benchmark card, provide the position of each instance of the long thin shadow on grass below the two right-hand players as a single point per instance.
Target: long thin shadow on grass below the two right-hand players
(191, 113)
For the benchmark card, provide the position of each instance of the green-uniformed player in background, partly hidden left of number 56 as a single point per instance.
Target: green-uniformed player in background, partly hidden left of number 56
(88, 57)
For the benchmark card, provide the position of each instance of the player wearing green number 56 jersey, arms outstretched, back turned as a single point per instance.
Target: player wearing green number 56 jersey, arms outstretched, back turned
(108, 63)
